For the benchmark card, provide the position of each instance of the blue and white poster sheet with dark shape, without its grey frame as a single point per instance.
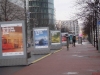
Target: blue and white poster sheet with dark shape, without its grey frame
(41, 38)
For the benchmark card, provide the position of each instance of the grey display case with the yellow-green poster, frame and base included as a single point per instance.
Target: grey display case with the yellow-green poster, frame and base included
(55, 40)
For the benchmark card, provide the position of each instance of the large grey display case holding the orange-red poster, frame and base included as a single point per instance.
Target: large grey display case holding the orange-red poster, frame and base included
(12, 42)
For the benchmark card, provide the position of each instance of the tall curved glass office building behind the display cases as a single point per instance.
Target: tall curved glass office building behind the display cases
(41, 13)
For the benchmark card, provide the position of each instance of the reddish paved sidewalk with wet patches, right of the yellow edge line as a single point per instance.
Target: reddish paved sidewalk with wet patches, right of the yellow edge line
(80, 60)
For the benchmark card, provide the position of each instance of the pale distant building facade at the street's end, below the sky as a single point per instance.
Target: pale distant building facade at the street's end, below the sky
(70, 26)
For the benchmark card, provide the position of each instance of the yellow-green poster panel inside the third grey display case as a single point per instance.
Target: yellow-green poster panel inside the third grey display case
(55, 37)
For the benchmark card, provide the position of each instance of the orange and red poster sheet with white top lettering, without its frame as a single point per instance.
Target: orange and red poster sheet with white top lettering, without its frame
(12, 39)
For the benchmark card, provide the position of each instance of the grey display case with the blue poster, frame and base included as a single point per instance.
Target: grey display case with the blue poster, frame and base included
(41, 40)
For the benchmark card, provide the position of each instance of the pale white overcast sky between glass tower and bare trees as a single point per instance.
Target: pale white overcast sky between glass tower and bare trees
(65, 9)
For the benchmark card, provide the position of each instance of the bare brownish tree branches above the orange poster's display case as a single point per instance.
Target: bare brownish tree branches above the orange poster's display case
(11, 11)
